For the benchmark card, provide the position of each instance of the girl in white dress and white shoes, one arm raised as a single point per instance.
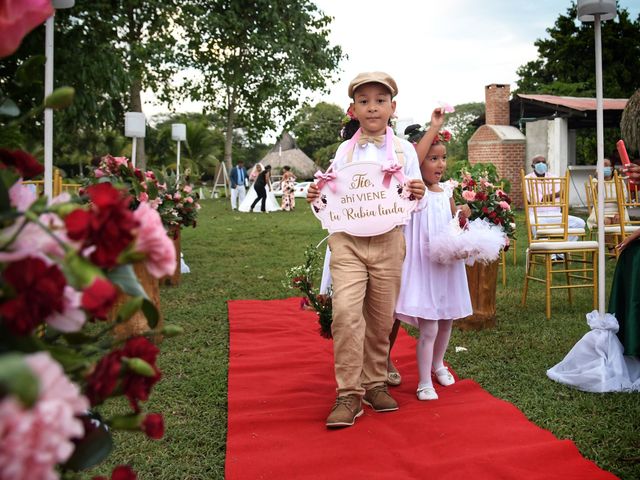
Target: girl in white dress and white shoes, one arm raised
(432, 294)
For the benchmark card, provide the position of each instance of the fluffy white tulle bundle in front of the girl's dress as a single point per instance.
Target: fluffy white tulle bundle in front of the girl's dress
(479, 241)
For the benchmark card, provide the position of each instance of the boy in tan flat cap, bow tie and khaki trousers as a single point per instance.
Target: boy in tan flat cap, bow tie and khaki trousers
(366, 271)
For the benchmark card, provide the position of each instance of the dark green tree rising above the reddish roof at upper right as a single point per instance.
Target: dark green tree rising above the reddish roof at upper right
(566, 60)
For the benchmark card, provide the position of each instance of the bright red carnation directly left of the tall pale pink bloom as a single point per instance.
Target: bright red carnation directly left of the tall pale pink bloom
(107, 226)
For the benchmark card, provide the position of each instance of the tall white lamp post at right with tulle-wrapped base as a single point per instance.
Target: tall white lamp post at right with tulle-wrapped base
(596, 11)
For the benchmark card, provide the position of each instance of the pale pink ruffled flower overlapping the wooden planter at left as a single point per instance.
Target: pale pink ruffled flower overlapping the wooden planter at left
(153, 241)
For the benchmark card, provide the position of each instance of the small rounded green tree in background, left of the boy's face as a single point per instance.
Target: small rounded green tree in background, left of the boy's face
(316, 127)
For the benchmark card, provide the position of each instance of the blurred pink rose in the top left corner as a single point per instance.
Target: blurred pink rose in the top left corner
(19, 17)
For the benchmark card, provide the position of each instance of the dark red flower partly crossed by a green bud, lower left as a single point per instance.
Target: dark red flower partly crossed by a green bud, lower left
(137, 387)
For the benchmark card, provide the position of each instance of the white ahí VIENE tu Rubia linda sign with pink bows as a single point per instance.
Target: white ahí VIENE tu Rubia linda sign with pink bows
(364, 198)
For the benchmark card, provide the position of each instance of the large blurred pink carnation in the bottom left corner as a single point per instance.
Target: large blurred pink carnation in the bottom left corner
(33, 440)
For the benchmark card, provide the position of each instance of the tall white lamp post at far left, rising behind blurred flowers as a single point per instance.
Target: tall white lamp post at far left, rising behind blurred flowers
(48, 88)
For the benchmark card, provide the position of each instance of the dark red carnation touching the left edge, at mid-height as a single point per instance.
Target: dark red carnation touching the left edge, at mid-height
(38, 291)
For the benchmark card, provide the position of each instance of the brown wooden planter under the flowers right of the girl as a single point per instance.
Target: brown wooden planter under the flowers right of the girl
(482, 279)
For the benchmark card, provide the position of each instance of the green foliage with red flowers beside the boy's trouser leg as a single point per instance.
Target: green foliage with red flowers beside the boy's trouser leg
(301, 277)
